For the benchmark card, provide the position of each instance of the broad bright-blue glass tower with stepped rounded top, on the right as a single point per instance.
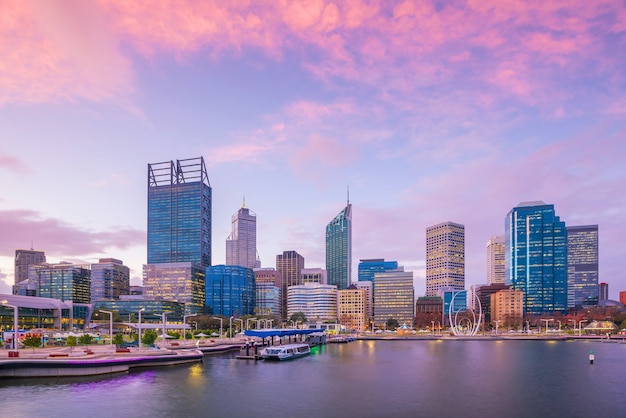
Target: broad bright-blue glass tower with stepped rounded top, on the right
(536, 257)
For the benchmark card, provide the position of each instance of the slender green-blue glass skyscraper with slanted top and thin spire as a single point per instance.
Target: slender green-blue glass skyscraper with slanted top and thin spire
(339, 249)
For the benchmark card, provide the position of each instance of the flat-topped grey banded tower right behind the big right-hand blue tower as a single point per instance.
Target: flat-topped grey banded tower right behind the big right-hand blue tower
(582, 265)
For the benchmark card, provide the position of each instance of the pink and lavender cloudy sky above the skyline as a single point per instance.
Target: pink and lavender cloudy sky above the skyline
(428, 111)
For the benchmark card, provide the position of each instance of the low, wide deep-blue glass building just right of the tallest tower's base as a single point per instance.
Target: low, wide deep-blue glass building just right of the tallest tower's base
(230, 290)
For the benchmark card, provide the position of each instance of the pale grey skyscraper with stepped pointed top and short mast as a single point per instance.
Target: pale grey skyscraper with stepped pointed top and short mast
(241, 243)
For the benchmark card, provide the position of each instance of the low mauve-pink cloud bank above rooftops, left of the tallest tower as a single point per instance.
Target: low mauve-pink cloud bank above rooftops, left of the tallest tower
(20, 228)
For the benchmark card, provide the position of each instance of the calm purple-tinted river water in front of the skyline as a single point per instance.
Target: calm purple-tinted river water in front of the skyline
(403, 378)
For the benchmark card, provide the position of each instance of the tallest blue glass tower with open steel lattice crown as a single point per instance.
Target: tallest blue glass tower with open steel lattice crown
(179, 212)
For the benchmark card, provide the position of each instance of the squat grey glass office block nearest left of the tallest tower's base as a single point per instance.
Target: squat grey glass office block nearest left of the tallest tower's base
(110, 279)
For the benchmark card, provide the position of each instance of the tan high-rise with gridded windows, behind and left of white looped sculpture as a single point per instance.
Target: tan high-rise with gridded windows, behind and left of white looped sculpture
(445, 258)
